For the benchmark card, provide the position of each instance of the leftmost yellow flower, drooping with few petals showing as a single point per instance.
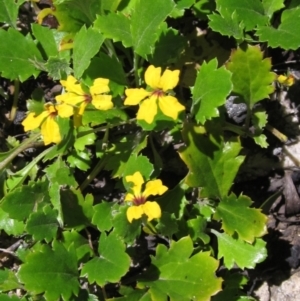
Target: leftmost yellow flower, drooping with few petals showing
(49, 128)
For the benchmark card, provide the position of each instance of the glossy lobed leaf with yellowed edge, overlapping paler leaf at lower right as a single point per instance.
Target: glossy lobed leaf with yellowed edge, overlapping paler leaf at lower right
(237, 216)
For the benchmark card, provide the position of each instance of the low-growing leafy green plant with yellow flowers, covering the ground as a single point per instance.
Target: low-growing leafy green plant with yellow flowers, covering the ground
(119, 186)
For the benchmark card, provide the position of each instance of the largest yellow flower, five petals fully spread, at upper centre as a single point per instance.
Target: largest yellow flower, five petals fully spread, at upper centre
(149, 100)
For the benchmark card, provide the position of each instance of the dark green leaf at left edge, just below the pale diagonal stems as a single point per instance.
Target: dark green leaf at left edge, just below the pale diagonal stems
(20, 203)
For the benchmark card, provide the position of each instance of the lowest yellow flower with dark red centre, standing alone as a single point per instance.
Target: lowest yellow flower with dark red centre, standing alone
(138, 198)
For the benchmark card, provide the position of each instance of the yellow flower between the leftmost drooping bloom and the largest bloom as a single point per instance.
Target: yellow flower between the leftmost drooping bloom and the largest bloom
(77, 96)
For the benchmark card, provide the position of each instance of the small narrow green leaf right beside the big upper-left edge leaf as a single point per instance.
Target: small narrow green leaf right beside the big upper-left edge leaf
(45, 37)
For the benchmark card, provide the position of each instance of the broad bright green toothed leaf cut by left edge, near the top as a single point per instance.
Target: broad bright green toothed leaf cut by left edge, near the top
(16, 55)
